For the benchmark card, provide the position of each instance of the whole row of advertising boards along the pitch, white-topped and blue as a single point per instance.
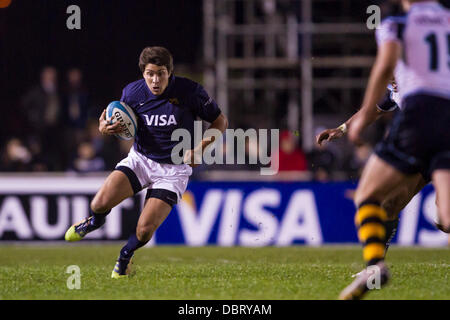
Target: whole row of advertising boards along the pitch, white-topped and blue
(211, 213)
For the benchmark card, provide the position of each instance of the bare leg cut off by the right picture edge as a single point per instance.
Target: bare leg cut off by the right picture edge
(441, 182)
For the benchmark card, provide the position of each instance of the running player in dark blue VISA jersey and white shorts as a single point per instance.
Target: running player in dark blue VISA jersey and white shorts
(159, 95)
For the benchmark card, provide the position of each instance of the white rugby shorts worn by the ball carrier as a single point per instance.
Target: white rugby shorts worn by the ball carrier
(155, 175)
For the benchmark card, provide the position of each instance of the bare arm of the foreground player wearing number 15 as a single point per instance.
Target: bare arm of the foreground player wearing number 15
(382, 72)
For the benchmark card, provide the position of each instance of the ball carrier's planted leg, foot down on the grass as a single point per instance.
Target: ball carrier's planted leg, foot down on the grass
(157, 207)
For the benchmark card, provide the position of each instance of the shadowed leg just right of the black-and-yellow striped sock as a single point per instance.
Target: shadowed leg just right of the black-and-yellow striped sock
(397, 201)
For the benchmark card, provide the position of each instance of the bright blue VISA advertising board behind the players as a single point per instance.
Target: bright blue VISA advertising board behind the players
(261, 214)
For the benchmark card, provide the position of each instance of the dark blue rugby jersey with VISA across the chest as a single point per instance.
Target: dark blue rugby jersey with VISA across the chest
(158, 116)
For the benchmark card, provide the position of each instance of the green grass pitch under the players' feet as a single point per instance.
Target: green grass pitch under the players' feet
(197, 273)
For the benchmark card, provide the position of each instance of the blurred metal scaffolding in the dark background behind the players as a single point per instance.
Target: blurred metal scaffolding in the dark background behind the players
(288, 40)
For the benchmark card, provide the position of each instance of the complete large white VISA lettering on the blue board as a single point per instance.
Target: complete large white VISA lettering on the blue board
(300, 220)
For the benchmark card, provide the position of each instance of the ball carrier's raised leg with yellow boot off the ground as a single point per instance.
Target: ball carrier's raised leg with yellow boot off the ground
(114, 190)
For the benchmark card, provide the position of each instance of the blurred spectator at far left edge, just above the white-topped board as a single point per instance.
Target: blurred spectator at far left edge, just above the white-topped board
(15, 156)
